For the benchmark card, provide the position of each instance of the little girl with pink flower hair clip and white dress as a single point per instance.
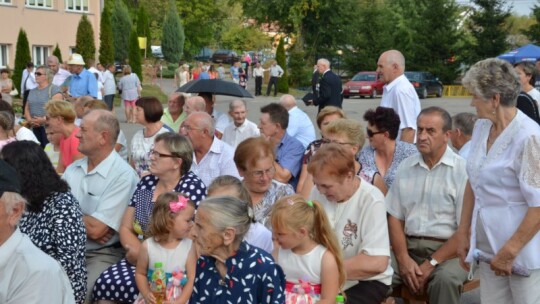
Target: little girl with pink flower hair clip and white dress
(170, 224)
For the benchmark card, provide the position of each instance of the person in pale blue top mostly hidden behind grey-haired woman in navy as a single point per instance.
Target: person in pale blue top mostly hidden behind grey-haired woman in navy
(227, 185)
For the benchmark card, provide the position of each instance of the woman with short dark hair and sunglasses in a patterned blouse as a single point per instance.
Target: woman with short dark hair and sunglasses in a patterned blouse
(384, 153)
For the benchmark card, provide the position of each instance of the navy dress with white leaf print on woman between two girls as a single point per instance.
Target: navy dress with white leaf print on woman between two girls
(252, 278)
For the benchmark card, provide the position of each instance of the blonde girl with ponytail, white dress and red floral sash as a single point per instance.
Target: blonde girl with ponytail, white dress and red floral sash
(307, 250)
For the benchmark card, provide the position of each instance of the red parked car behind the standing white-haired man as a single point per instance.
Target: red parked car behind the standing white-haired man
(363, 84)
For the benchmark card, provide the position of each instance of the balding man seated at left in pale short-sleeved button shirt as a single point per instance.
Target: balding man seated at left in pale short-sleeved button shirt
(103, 183)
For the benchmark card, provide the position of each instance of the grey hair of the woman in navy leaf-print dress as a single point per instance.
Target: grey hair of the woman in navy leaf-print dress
(228, 212)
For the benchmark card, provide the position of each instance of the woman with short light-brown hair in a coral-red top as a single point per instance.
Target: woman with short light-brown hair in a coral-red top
(61, 118)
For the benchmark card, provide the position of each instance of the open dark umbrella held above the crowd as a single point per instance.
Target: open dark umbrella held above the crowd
(214, 86)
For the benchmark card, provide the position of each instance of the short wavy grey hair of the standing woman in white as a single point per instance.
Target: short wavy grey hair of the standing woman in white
(493, 76)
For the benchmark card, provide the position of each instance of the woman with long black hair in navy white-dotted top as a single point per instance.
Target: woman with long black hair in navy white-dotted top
(53, 219)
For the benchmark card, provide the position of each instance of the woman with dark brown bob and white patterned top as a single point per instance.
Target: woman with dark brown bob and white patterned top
(148, 112)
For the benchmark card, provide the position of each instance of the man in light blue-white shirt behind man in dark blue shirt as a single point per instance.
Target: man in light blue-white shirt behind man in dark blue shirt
(300, 125)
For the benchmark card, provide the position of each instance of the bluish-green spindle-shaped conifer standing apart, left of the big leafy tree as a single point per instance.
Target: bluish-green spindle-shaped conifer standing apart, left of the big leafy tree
(172, 43)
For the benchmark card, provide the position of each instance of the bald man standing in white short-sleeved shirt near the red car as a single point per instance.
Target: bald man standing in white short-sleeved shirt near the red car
(398, 93)
